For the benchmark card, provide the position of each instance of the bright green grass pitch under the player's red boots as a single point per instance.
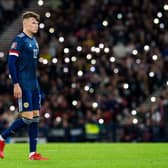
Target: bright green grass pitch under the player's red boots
(89, 155)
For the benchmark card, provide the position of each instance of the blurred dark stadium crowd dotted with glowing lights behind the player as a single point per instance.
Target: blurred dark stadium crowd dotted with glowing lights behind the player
(99, 62)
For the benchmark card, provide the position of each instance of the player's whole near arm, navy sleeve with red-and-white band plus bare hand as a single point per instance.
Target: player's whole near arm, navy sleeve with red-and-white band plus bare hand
(12, 59)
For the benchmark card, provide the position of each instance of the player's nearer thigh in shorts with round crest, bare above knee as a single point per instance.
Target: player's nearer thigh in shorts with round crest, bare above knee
(25, 104)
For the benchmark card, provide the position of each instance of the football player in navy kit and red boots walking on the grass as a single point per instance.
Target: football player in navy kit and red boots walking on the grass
(22, 63)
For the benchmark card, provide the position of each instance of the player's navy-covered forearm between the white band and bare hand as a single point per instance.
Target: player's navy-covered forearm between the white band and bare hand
(12, 68)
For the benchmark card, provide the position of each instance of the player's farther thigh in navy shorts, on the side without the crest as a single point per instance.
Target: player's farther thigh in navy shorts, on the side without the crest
(36, 102)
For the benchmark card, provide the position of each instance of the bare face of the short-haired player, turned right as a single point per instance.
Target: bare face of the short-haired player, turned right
(31, 25)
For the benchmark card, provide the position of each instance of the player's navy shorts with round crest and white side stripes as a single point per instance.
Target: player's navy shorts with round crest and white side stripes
(30, 100)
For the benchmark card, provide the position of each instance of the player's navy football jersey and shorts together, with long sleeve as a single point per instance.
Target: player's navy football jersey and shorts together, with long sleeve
(22, 63)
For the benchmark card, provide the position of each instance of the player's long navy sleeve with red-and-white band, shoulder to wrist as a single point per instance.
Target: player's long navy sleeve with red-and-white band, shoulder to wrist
(14, 53)
